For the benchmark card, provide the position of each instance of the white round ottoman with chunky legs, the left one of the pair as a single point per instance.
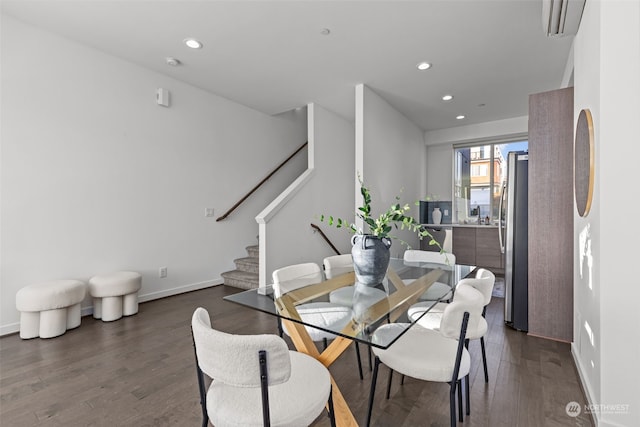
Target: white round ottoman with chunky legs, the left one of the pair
(48, 309)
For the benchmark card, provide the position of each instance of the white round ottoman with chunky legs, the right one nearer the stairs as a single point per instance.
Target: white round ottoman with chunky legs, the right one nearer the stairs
(115, 294)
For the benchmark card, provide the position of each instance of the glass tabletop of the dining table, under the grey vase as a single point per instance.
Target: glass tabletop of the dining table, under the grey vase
(405, 284)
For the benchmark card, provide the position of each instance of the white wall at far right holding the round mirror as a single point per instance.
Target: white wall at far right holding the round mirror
(607, 70)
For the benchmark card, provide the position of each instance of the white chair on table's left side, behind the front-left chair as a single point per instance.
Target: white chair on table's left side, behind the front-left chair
(331, 316)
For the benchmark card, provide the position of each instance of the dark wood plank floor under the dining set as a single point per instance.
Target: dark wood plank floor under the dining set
(139, 371)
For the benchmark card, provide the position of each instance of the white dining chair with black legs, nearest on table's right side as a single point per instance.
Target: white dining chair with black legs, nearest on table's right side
(430, 355)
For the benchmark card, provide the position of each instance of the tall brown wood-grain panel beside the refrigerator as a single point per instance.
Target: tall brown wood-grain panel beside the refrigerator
(551, 214)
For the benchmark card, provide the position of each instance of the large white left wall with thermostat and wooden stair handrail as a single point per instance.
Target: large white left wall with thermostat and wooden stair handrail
(96, 177)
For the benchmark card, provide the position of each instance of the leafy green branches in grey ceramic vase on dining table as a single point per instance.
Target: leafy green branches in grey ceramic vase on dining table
(371, 247)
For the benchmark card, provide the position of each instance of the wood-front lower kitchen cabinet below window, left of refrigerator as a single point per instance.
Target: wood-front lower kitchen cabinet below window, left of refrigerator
(478, 245)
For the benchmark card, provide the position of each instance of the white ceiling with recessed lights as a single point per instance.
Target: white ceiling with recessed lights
(272, 55)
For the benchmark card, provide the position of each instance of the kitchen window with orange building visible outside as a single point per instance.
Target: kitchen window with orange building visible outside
(479, 172)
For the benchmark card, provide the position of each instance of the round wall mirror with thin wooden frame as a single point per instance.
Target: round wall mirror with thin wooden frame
(584, 160)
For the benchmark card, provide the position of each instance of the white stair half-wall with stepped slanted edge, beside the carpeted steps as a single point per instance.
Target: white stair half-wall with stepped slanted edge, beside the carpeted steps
(325, 188)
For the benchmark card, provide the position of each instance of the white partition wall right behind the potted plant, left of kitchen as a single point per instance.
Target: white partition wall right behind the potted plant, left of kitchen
(390, 156)
